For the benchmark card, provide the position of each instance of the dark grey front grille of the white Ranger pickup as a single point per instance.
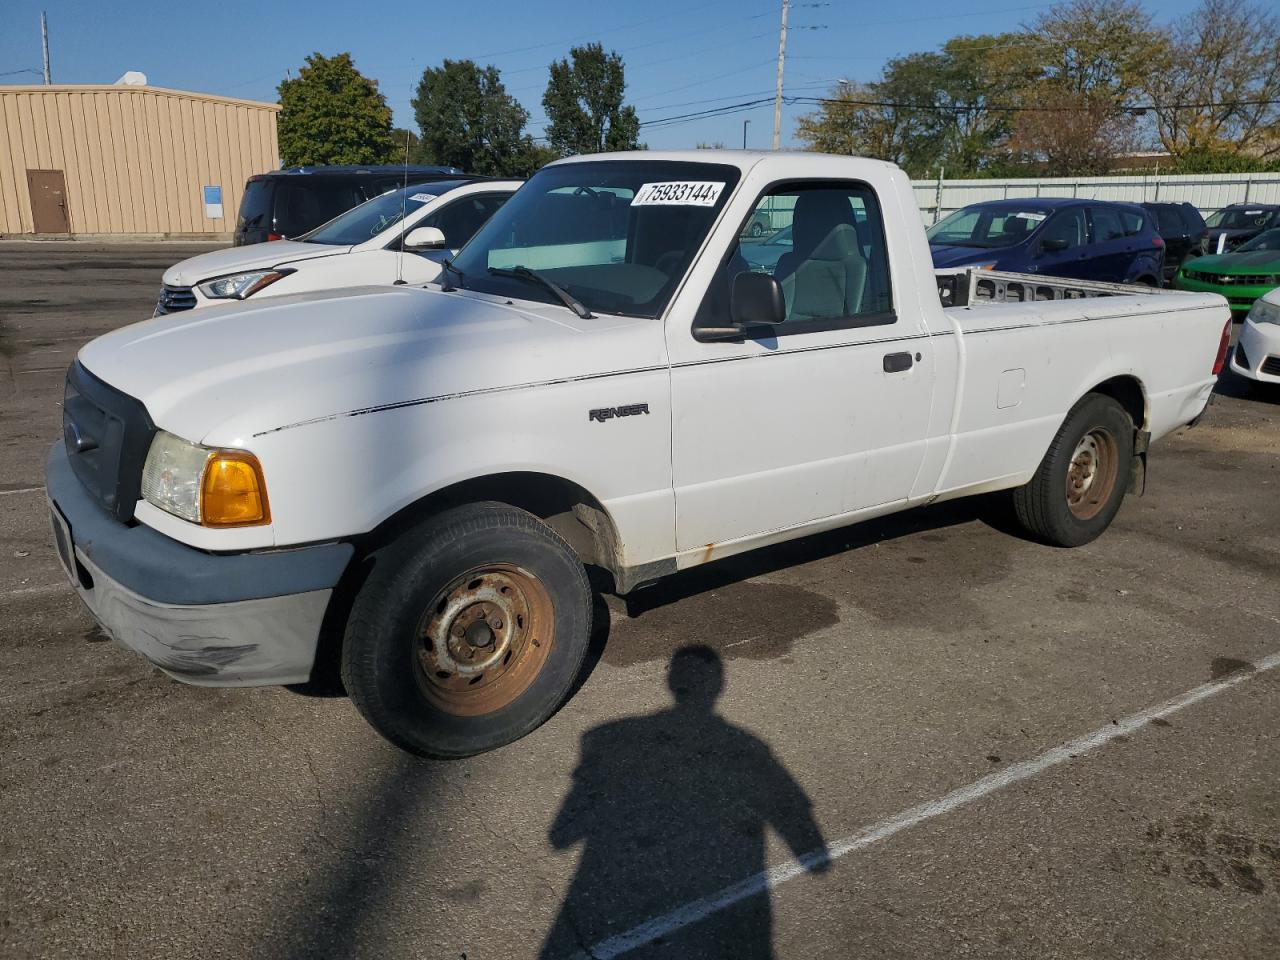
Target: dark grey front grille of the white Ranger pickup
(107, 436)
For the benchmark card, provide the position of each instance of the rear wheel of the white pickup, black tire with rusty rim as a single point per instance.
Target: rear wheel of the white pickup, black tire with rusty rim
(1062, 505)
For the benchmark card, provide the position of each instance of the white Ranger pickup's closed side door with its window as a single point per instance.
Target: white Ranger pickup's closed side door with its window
(828, 413)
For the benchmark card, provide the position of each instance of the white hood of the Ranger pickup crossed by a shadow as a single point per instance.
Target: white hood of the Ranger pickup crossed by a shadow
(226, 374)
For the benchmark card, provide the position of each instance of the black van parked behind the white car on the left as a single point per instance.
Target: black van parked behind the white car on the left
(285, 204)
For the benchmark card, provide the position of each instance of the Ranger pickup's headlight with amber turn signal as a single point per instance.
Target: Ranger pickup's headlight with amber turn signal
(205, 486)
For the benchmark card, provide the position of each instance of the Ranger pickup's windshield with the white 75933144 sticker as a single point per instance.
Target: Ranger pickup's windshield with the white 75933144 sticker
(618, 235)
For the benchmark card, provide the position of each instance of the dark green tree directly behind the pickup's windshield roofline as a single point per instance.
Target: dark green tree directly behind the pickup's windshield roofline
(584, 104)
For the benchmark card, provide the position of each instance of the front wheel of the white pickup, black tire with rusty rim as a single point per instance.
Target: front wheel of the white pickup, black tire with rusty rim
(419, 592)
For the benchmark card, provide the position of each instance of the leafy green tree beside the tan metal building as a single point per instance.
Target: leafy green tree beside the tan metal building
(333, 115)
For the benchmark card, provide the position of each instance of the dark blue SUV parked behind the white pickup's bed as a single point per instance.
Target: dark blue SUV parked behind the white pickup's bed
(1075, 239)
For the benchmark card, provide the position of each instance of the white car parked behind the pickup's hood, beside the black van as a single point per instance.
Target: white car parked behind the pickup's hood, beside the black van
(359, 248)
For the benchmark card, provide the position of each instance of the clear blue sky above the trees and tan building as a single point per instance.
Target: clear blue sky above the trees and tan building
(682, 56)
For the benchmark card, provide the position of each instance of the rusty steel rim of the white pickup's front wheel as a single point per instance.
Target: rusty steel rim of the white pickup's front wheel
(484, 639)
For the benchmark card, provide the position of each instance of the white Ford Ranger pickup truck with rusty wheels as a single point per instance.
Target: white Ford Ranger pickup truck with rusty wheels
(412, 482)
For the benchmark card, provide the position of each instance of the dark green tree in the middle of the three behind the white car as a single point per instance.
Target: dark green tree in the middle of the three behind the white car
(468, 120)
